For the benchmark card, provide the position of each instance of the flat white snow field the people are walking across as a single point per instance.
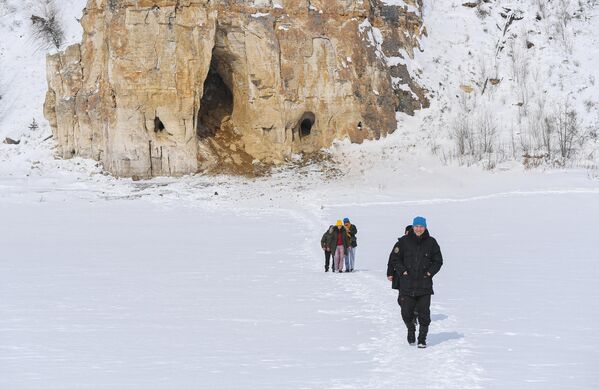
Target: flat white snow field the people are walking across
(107, 283)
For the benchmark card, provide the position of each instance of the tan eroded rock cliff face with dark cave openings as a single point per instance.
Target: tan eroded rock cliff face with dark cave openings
(169, 87)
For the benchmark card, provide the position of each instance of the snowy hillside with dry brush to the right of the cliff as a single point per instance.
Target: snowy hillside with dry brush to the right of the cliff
(511, 80)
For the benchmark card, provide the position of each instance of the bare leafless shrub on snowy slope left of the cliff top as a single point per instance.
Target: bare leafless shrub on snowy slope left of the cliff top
(47, 27)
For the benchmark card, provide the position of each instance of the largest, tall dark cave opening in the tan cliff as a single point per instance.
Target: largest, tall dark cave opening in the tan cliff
(216, 106)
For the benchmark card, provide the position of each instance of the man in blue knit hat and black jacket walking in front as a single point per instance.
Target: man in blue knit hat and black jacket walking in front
(416, 258)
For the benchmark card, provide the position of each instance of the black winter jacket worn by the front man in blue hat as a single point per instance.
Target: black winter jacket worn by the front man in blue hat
(417, 256)
